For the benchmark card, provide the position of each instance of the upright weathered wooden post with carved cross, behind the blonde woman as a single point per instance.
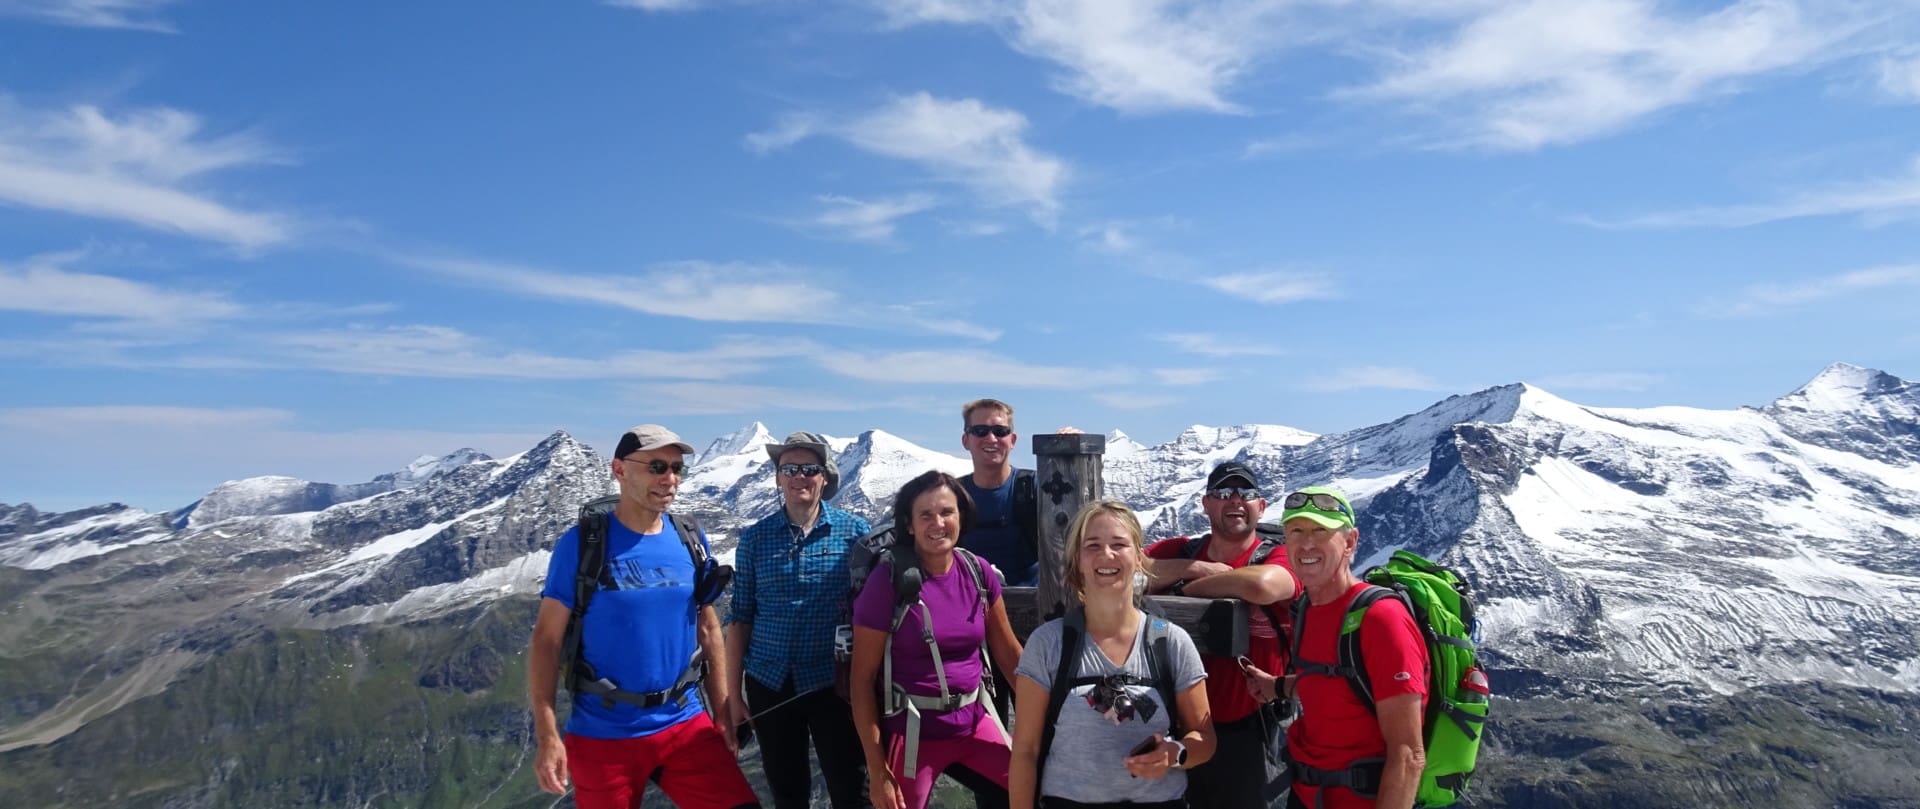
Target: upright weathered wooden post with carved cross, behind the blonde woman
(1068, 476)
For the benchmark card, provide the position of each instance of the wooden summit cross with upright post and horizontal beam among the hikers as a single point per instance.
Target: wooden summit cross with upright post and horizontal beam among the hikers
(1068, 478)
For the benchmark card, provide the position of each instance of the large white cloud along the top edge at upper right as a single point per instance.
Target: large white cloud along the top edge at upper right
(1550, 72)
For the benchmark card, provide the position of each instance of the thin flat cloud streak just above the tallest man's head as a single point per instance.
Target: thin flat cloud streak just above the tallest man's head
(963, 368)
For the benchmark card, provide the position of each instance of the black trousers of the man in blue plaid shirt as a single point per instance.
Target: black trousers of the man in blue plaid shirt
(784, 733)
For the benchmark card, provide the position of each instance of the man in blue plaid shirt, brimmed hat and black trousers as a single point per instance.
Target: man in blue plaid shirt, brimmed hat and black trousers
(790, 587)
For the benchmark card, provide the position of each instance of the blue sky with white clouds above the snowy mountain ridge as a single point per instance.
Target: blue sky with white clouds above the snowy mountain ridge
(322, 239)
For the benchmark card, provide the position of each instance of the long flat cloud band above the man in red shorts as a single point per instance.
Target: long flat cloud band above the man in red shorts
(443, 353)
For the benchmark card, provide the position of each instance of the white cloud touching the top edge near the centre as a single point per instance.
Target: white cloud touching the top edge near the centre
(1134, 57)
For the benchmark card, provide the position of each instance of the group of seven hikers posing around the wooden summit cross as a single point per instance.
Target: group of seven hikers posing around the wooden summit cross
(890, 658)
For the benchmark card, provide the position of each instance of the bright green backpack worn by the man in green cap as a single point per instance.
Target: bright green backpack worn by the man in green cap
(1456, 687)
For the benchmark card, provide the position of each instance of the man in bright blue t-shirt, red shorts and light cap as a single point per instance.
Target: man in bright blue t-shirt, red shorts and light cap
(640, 633)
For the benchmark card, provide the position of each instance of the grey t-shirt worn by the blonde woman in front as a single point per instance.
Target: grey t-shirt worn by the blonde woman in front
(1086, 762)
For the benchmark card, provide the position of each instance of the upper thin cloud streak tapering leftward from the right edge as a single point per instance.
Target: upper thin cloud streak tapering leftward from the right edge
(1877, 201)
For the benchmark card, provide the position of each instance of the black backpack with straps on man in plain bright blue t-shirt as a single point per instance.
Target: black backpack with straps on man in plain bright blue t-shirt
(592, 576)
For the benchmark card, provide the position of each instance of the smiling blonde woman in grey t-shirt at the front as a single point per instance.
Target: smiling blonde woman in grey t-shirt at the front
(1092, 760)
